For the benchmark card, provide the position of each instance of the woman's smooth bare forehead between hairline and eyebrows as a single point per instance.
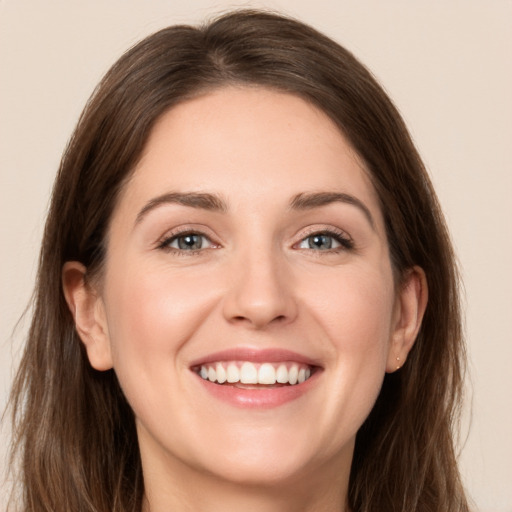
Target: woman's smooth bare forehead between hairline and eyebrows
(248, 142)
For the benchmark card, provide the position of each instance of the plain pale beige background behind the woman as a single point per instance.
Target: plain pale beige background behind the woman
(446, 64)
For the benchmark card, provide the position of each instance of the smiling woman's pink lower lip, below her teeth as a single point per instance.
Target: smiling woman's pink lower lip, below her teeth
(263, 398)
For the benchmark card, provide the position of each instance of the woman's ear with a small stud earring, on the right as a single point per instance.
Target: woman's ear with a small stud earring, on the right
(409, 310)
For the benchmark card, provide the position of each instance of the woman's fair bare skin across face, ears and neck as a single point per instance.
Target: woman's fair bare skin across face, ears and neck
(255, 283)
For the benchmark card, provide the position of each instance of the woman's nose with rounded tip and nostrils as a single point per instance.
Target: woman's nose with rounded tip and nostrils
(260, 292)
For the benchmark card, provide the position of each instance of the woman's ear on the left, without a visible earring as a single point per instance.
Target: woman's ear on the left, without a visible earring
(88, 311)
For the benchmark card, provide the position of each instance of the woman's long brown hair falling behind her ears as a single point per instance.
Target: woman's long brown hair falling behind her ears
(75, 440)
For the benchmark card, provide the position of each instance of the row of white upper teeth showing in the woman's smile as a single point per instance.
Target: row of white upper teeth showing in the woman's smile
(251, 373)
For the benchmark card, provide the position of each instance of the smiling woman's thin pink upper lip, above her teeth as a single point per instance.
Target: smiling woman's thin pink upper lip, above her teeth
(255, 355)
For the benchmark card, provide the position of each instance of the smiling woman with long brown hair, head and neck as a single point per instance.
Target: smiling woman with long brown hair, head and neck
(247, 297)
